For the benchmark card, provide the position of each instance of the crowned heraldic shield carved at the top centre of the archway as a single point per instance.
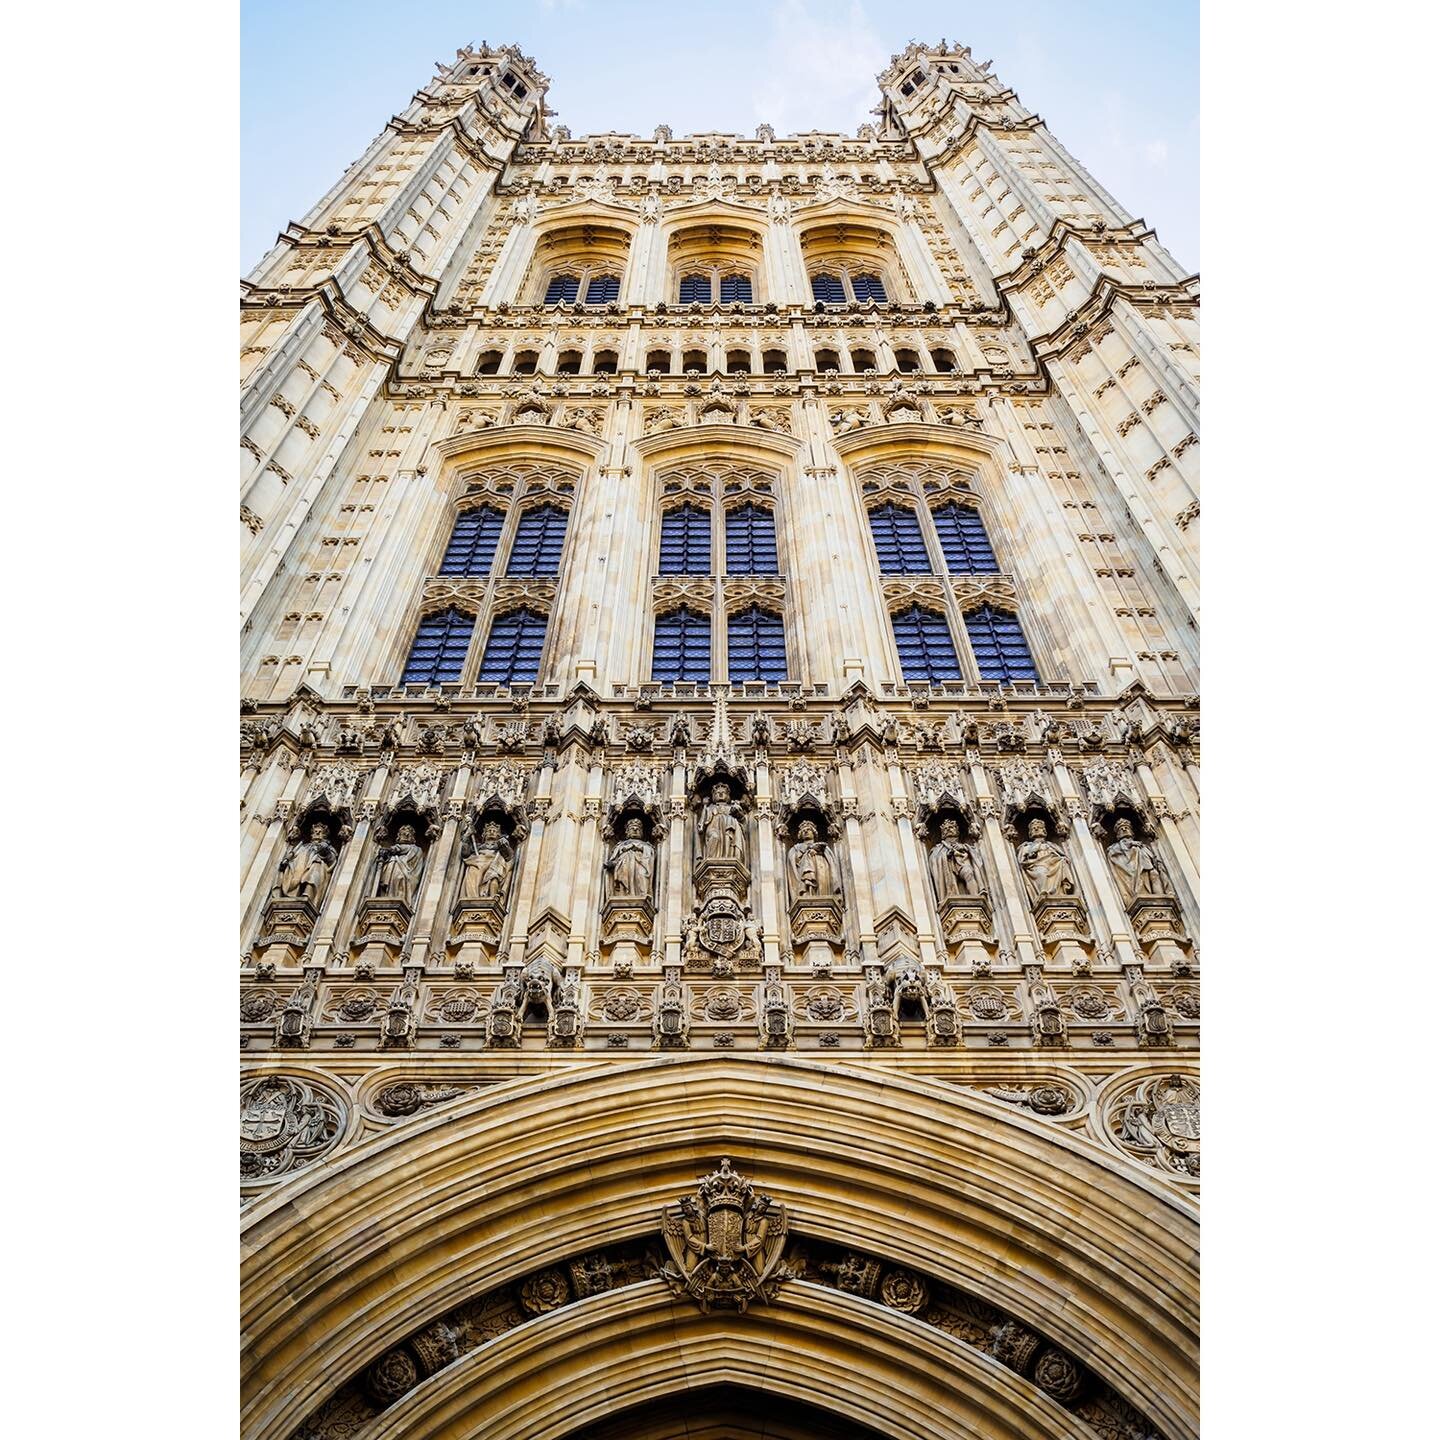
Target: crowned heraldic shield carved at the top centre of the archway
(725, 1243)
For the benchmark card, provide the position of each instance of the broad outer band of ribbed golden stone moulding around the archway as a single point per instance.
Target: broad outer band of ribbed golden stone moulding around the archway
(352, 1256)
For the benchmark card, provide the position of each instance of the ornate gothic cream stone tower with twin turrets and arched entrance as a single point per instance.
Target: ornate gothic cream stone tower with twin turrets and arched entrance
(719, 784)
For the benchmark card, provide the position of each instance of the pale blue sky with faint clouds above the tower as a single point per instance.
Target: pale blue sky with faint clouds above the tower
(1118, 81)
